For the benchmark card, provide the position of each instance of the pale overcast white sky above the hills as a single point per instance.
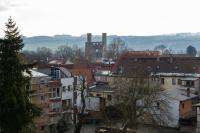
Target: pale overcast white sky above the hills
(116, 17)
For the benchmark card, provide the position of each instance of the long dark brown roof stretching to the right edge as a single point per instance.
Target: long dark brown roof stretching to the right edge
(147, 64)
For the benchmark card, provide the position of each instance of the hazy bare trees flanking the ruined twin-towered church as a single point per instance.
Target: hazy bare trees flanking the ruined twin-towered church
(43, 54)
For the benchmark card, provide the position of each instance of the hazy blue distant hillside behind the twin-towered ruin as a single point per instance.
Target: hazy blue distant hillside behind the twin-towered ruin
(175, 41)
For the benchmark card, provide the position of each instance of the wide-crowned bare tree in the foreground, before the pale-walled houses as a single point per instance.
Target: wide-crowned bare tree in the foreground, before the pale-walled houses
(140, 101)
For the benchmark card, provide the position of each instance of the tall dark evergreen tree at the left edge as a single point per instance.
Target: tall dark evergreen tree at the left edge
(16, 109)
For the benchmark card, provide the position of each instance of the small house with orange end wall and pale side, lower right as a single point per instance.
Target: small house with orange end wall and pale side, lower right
(180, 106)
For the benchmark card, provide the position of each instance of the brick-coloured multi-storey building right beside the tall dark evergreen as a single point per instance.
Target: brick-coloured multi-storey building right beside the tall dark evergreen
(47, 96)
